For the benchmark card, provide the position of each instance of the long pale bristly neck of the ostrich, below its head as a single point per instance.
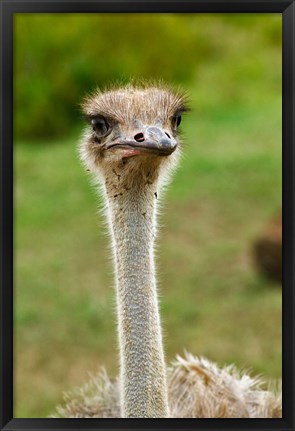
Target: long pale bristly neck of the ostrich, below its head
(143, 379)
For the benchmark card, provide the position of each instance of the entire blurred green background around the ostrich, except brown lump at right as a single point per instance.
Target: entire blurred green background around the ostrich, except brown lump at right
(213, 301)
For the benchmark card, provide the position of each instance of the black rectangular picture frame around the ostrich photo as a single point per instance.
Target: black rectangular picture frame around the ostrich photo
(7, 9)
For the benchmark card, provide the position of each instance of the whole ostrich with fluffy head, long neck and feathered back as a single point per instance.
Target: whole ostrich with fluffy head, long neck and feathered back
(132, 145)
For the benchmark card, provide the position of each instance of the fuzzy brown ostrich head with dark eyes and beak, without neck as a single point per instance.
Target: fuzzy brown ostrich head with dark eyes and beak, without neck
(134, 131)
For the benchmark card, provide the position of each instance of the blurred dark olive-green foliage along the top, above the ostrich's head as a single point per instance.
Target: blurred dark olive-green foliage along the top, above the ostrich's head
(61, 57)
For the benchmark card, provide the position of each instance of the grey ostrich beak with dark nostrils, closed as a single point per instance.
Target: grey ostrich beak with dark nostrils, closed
(152, 140)
